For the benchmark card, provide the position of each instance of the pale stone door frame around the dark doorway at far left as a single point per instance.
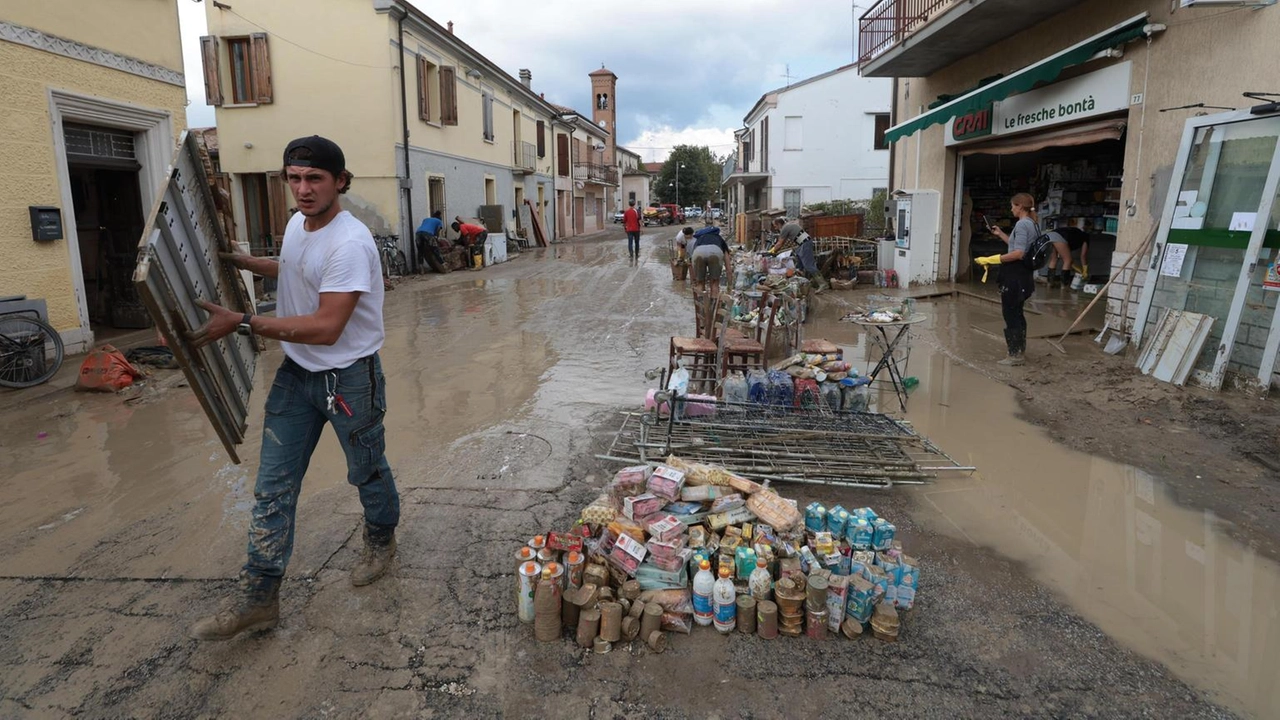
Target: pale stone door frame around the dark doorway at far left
(154, 147)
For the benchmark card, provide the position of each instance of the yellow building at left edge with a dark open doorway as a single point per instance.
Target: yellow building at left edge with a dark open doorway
(92, 115)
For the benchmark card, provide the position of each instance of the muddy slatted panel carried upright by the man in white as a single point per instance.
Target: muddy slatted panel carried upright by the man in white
(179, 266)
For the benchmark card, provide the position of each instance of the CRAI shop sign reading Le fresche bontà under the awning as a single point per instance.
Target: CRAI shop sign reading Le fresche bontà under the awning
(1081, 98)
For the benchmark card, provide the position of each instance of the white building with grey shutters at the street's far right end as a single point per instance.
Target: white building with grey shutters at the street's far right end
(815, 142)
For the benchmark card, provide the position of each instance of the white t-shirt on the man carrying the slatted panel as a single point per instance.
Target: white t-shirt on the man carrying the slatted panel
(337, 258)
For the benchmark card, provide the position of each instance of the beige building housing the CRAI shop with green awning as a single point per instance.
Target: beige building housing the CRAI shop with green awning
(999, 97)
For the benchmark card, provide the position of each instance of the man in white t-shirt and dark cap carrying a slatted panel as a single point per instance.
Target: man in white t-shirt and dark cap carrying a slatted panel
(330, 322)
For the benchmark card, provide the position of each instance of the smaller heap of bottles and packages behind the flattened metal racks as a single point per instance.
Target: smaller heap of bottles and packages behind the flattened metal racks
(804, 381)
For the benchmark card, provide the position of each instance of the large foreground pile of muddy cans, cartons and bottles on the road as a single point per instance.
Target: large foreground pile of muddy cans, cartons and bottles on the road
(680, 545)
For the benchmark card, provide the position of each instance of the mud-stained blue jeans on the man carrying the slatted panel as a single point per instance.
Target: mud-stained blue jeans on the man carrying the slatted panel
(296, 414)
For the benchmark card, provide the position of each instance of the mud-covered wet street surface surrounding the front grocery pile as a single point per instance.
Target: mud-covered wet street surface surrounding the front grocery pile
(1053, 584)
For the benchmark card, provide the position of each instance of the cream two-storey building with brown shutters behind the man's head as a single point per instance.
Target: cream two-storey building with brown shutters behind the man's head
(426, 121)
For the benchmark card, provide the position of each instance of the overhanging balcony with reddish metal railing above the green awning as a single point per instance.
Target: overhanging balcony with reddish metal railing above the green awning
(920, 38)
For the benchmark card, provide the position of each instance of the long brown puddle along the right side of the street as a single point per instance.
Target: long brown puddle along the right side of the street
(1160, 578)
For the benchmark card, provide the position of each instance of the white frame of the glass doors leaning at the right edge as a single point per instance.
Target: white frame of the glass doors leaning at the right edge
(1249, 265)
